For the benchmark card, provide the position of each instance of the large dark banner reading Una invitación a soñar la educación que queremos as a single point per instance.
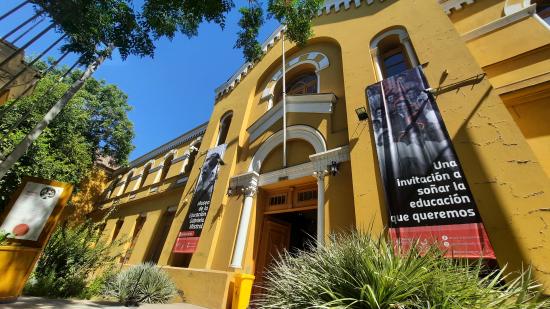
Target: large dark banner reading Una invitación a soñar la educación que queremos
(426, 192)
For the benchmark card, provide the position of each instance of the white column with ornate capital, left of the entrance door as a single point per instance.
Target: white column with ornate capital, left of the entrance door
(249, 191)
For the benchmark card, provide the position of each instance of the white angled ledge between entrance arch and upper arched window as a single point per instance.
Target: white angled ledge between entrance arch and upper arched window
(312, 103)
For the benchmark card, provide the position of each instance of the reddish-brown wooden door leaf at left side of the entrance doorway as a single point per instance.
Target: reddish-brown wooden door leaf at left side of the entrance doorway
(275, 238)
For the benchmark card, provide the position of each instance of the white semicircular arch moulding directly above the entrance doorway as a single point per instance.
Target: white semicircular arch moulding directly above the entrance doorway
(306, 133)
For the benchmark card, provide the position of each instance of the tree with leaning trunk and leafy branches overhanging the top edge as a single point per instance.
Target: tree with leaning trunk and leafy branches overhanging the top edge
(94, 28)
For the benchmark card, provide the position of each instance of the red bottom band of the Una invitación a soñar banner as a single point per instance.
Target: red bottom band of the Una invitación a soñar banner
(456, 240)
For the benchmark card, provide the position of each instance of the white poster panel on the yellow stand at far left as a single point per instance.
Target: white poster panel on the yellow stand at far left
(31, 210)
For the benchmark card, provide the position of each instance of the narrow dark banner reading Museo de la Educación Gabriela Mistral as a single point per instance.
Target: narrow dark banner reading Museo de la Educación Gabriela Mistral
(193, 224)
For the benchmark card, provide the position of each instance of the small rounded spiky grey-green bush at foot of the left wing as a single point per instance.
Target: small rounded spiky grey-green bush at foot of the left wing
(143, 283)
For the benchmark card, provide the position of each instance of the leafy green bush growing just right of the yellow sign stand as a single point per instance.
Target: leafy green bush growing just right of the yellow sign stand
(71, 261)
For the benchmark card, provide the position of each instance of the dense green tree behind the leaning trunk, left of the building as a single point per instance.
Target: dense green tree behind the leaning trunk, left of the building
(94, 123)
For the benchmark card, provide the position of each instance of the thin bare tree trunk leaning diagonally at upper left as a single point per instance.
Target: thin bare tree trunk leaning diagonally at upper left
(24, 145)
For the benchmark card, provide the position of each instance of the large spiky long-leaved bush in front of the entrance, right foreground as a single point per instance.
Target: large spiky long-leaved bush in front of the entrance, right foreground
(357, 271)
